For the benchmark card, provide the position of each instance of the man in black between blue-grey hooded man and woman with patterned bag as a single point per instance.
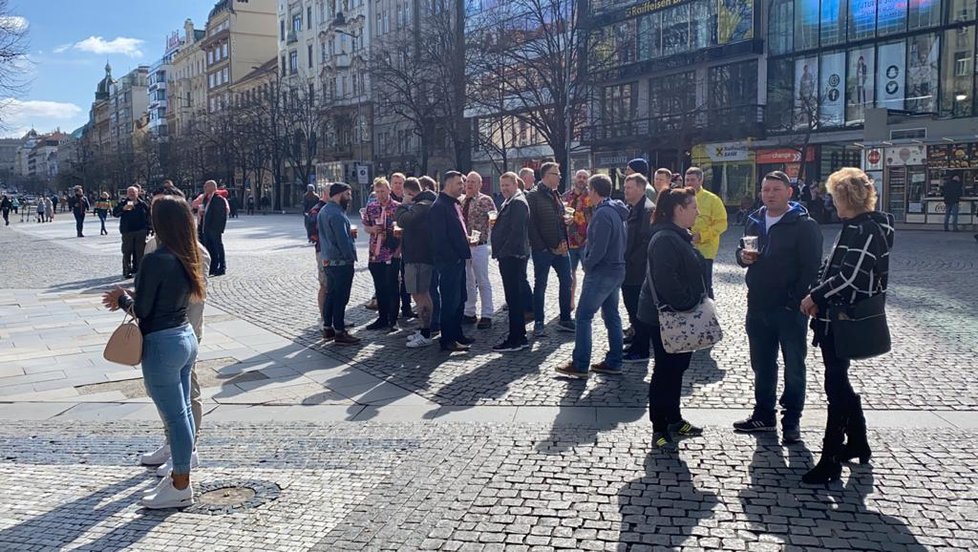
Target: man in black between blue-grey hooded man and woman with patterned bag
(637, 233)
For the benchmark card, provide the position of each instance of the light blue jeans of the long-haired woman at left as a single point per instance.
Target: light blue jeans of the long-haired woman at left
(168, 358)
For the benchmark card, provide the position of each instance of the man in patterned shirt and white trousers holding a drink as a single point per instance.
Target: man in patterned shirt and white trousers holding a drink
(476, 207)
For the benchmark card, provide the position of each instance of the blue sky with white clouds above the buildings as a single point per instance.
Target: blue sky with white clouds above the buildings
(70, 41)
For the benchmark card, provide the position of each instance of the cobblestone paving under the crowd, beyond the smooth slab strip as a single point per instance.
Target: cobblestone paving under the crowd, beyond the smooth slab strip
(272, 283)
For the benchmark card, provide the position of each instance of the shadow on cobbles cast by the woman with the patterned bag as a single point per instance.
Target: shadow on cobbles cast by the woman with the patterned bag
(660, 509)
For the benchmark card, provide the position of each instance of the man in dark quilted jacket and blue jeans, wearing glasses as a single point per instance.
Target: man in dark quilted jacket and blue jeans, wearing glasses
(548, 240)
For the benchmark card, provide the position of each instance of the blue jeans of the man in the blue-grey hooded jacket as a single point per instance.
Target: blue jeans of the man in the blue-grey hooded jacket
(598, 291)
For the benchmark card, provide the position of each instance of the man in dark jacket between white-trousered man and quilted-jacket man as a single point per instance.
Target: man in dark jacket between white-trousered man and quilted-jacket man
(511, 247)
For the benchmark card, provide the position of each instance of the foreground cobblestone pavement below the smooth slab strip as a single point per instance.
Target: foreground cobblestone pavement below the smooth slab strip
(485, 487)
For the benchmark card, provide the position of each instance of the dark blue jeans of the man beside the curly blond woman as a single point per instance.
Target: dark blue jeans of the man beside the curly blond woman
(769, 330)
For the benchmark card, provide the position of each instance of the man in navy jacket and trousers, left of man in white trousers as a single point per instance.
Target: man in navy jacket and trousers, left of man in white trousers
(449, 254)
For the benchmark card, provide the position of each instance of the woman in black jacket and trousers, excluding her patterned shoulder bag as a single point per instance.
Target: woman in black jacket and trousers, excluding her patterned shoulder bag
(675, 273)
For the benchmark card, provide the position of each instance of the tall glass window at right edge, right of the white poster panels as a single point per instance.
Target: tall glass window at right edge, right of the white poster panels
(958, 72)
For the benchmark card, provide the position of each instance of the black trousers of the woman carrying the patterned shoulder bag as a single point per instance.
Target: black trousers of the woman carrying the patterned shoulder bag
(666, 386)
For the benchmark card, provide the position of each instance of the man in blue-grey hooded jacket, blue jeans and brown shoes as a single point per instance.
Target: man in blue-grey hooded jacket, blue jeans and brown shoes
(604, 272)
